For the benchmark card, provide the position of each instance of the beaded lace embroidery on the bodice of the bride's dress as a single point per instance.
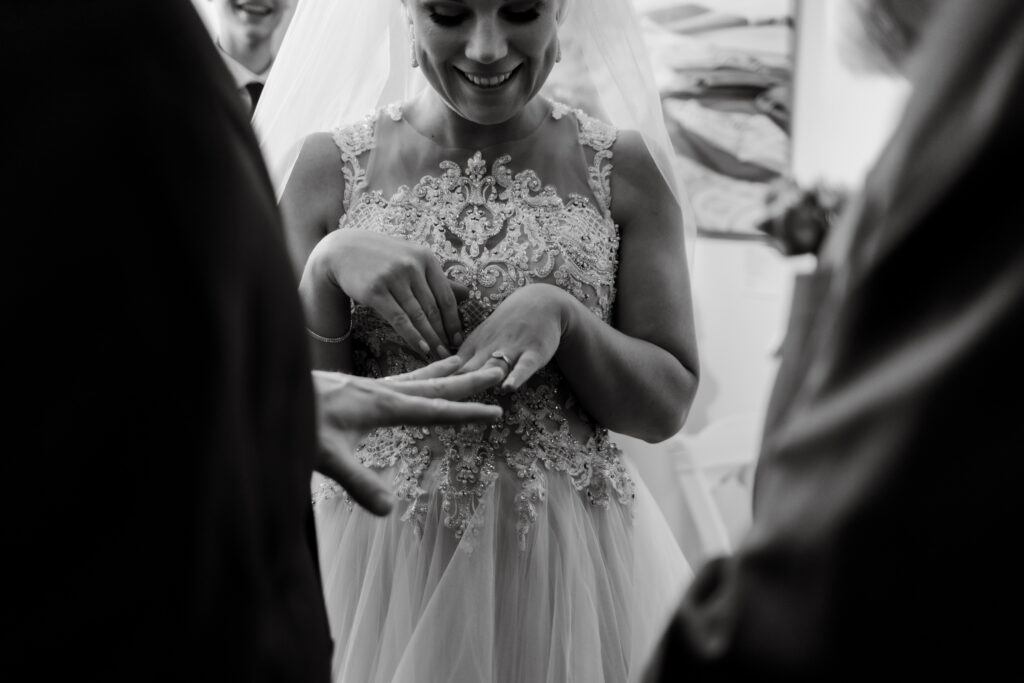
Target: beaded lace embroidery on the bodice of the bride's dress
(495, 231)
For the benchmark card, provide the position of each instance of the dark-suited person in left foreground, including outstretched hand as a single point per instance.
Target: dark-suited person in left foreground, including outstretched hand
(160, 422)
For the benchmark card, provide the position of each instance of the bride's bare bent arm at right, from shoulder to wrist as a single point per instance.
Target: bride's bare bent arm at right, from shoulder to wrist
(638, 378)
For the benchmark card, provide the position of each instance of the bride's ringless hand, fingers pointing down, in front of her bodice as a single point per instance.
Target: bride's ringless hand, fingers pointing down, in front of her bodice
(400, 280)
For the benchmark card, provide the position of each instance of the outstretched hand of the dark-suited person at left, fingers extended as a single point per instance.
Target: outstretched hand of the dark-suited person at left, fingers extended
(350, 407)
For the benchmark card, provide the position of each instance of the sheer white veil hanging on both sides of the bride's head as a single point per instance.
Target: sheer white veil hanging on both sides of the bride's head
(344, 59)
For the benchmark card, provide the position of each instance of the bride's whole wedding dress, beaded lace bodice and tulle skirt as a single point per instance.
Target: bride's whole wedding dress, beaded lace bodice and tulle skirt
(523, 552)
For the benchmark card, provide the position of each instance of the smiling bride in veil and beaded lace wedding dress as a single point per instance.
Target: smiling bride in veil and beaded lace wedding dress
(476, 224)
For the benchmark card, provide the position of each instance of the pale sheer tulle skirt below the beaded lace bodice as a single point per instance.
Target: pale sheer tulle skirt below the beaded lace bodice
(585, 601)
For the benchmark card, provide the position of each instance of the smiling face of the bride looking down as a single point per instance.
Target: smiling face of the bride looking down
(486, 59)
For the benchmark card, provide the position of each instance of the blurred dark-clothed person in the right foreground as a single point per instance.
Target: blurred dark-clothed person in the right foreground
(888, 495)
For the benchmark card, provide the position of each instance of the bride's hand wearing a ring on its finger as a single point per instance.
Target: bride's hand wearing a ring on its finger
(526, 329)
